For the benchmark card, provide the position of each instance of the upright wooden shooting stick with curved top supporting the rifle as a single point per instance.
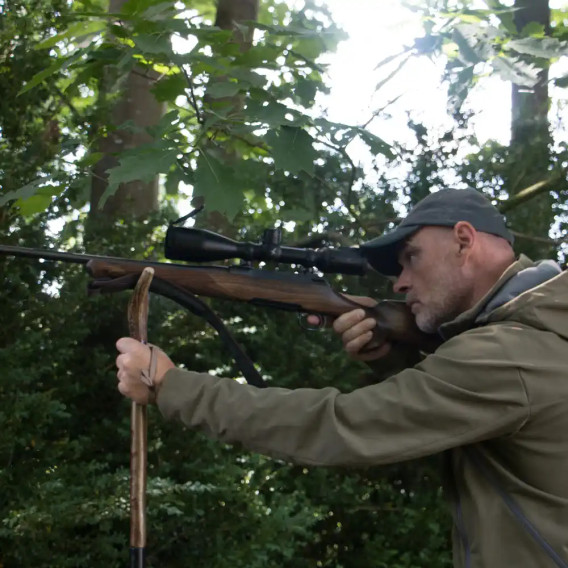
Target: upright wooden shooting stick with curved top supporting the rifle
(138, 325)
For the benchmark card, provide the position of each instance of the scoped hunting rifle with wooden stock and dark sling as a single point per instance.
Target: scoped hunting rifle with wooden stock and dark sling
(304, 292)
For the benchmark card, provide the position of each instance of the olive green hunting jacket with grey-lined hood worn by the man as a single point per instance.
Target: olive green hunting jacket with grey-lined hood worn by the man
(493, 398)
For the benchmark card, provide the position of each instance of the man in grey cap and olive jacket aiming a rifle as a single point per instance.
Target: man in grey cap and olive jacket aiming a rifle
(493, 396)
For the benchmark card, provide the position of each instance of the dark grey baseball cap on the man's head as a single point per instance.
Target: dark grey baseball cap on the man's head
(444, 208)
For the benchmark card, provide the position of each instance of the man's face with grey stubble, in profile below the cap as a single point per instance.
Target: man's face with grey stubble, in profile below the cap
(432, 279)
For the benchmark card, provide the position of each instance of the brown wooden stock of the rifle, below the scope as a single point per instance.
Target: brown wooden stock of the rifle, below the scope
(305, 293)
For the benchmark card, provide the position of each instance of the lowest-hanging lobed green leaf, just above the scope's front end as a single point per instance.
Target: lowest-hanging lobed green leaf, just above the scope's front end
(218, 184)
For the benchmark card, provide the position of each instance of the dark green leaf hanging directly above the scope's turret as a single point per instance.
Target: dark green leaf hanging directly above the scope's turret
(292, 149)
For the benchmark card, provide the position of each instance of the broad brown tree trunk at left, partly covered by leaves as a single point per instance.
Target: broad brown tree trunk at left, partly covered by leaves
(137, 104)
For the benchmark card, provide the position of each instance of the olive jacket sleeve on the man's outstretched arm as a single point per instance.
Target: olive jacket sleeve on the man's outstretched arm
(467, 391)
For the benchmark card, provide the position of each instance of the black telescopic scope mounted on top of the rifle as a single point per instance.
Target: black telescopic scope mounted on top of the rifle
(201, 245)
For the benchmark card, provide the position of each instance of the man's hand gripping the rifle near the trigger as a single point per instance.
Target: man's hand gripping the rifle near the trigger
(356, 330)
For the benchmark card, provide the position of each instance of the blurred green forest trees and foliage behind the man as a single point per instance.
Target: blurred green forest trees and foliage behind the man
(118, 118)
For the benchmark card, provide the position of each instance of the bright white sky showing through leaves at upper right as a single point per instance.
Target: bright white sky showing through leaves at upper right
(377, 29)
